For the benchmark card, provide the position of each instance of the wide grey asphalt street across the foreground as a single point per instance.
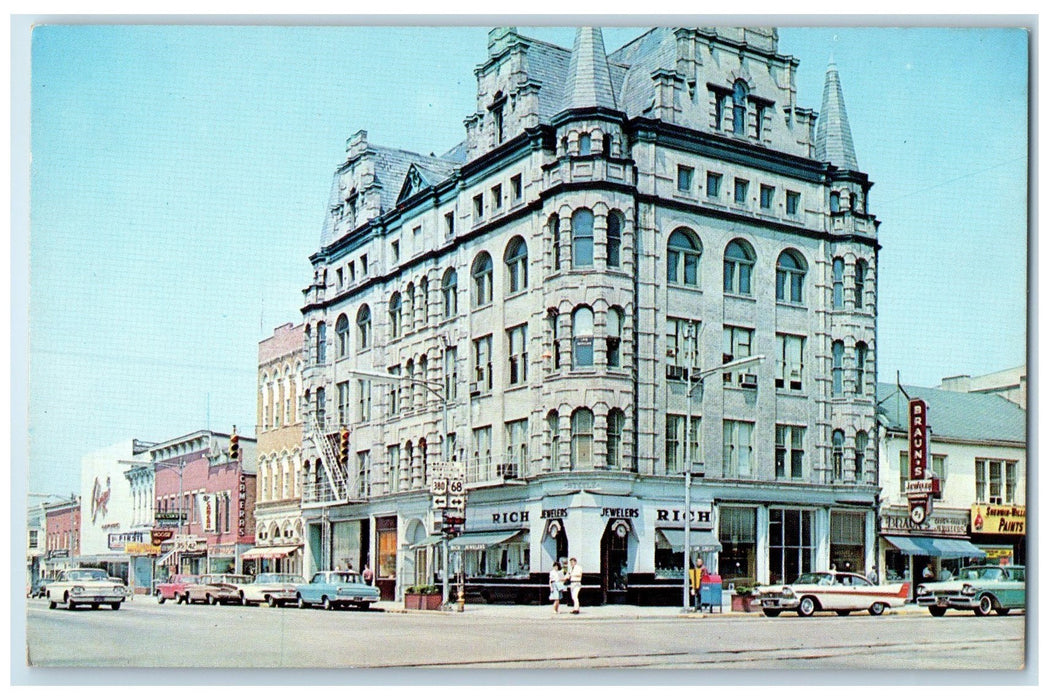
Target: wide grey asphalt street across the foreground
(143, 634)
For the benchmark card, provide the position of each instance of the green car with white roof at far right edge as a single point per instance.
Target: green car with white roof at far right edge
(981, 589)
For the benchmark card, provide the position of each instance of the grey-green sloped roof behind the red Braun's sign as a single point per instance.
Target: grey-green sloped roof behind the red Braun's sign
(955, 415)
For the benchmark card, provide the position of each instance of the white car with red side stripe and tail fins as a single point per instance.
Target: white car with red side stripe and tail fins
(832, 591)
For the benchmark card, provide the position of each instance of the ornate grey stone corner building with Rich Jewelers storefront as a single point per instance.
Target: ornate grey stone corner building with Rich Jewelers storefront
(548, 294)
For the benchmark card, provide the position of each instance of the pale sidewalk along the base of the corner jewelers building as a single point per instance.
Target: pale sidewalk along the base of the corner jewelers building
(600, 612)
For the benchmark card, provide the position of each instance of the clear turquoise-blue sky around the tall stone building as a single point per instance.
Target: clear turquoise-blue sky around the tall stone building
(181, 175)
